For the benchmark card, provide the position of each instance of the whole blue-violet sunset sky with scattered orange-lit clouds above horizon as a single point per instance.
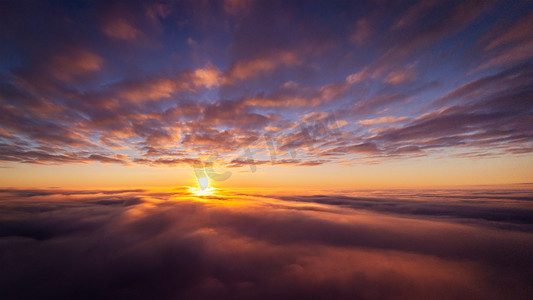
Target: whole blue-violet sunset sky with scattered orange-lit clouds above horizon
(249, 93)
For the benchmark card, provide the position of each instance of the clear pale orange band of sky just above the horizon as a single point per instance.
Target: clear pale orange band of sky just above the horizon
(414, 174)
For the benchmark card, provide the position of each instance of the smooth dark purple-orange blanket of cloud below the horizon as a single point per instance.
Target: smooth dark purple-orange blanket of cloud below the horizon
(232, 245)
